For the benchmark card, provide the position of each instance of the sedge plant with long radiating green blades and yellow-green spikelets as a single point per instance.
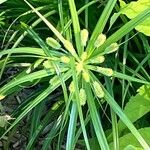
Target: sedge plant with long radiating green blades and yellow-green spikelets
(73, 64)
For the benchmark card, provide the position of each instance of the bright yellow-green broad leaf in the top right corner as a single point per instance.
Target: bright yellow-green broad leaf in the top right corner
(133, 9)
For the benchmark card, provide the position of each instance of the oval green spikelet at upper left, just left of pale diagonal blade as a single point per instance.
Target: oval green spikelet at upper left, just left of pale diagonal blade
(53, 43)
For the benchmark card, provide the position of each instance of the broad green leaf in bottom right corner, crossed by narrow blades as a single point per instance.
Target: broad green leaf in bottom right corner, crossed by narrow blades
(129, 139)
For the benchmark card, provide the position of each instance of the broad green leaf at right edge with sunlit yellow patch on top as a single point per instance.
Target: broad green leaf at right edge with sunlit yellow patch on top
(138, 105)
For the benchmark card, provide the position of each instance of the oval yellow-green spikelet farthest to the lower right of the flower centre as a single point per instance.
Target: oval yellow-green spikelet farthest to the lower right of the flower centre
(98, 90)
